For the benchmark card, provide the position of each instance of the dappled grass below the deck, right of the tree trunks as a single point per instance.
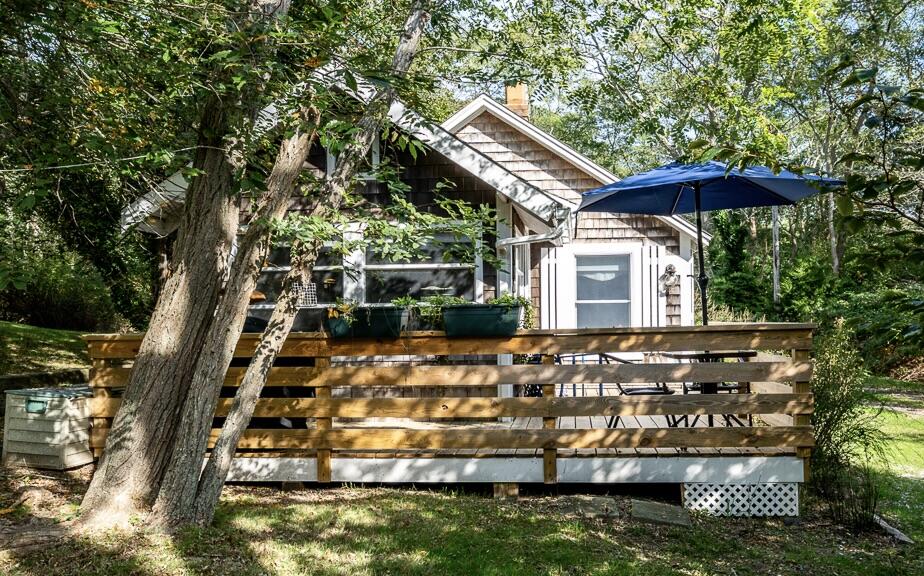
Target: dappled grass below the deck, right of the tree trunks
(438, 533)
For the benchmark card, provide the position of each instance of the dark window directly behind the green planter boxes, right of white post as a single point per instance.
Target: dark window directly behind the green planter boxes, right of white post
(439, 271)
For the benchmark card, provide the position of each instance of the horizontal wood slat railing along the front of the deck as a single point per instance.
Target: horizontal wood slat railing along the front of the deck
(779, 391)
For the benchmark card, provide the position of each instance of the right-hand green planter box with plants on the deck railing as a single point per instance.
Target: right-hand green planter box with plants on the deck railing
(499, 317)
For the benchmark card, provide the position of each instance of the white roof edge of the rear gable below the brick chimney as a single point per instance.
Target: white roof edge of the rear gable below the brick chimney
(485, 103)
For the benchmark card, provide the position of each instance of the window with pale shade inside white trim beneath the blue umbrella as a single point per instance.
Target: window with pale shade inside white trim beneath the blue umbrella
(603, 291)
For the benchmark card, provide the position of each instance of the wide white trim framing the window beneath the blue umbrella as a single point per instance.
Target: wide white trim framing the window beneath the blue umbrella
(566, 288)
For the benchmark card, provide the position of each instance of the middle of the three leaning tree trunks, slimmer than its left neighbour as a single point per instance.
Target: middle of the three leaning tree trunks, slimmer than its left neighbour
(174, 503)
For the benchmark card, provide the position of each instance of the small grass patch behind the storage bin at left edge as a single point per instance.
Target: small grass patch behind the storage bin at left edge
(25, 348)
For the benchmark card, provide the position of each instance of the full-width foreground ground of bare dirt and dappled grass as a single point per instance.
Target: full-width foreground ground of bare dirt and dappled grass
(260, 530)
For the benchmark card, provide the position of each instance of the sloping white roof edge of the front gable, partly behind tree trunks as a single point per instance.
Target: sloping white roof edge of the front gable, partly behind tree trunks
(540, 210)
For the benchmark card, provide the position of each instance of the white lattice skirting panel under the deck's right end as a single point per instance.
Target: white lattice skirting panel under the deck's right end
(770, 499)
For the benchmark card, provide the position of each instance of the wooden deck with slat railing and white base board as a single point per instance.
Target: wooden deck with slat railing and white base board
(386, 410)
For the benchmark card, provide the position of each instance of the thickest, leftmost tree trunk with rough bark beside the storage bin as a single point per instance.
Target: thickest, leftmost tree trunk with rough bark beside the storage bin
(142, 438)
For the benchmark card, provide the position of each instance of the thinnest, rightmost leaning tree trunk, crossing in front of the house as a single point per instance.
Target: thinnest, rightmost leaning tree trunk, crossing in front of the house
(280, 324)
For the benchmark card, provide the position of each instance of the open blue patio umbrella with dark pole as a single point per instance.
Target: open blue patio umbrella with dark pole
(684, 188)
